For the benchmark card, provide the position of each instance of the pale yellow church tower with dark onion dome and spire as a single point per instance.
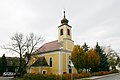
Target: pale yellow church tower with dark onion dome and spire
(65, 34)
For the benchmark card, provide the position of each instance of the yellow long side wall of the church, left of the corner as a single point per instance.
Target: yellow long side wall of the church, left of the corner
(55, 62)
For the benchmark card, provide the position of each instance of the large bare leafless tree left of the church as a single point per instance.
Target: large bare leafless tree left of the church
(24, 46)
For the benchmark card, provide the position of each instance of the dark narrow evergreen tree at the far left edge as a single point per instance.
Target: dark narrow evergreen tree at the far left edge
(3, 64)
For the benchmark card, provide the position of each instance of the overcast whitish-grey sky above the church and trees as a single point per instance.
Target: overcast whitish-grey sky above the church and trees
(91, 20)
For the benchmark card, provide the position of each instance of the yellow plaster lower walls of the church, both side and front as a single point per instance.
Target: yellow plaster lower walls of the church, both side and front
(55, 66)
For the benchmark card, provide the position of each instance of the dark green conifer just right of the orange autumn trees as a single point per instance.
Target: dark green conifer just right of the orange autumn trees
(104, 65)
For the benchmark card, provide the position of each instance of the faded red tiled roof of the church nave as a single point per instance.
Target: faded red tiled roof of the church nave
(50, 46)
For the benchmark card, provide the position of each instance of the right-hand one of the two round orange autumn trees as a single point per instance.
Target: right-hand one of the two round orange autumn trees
(93, 59)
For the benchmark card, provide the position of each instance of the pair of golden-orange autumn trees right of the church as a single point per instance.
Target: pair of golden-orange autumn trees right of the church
(84, 59)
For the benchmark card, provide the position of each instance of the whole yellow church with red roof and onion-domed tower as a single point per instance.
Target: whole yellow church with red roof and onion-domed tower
(55, 57)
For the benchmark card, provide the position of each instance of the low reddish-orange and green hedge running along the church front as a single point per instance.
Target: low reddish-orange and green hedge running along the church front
(64, 76)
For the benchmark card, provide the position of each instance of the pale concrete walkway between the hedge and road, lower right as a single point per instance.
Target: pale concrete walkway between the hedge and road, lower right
(98, 77)
